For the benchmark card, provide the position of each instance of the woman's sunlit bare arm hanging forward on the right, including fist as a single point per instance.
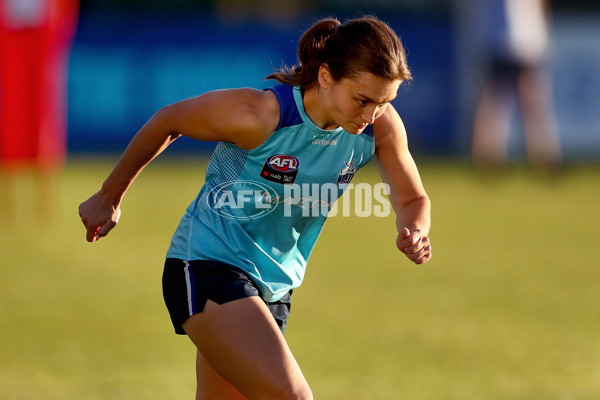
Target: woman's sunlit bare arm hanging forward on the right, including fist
(407, 194)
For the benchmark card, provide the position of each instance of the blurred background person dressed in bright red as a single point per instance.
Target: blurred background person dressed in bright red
(35, 40)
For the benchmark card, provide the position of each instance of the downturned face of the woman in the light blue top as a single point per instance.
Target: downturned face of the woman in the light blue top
(353, 103)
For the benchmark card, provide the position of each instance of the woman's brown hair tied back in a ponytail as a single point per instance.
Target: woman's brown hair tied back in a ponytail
(359, 45)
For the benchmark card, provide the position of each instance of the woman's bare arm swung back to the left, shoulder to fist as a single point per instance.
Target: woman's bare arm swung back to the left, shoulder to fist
(245, 117)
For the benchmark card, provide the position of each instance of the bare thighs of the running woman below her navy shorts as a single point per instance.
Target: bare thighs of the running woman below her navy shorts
(241, 343)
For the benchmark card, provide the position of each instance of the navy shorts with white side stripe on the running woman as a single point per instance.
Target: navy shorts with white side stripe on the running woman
(188, 285)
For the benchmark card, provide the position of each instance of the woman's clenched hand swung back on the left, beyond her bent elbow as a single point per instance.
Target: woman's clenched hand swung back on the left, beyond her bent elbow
(99, 216)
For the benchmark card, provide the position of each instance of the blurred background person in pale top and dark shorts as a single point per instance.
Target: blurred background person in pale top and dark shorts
(516, 42)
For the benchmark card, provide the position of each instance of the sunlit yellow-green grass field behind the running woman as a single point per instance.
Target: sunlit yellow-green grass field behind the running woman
(509, 307)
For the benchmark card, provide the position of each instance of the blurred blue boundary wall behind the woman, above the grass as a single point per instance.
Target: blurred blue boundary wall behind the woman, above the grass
(129, 58)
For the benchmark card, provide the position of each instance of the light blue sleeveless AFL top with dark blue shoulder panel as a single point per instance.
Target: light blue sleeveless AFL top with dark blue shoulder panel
(255, 210)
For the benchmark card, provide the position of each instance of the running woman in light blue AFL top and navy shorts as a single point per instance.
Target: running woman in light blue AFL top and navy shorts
(230, 270)
